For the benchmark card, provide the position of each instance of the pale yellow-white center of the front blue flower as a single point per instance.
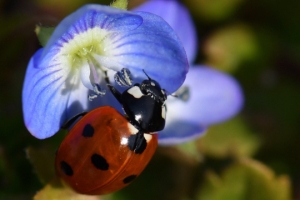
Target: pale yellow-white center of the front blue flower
(82, 56)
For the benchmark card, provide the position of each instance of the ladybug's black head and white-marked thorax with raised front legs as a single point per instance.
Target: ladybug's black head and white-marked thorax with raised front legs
(144, 103)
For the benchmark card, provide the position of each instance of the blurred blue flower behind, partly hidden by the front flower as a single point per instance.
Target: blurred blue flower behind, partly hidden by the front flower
(212, 96)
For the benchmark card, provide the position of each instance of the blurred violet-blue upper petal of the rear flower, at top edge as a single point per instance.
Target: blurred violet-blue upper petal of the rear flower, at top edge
(178, 18)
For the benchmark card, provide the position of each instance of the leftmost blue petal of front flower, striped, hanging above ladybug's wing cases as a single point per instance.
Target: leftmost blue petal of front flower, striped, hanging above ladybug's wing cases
(49, 99)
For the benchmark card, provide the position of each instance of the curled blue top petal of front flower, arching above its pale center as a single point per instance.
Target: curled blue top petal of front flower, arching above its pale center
(89, 16)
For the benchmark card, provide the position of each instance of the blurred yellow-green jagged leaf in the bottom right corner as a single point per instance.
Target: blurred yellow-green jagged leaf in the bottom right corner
(246, 179)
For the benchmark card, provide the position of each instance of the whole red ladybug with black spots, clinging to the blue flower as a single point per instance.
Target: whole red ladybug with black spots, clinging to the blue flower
(105, 151)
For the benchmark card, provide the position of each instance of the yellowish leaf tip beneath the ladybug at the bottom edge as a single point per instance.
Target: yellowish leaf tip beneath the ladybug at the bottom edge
(55, 190)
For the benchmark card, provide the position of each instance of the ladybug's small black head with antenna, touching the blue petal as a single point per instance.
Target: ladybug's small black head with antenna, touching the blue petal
(152, 88)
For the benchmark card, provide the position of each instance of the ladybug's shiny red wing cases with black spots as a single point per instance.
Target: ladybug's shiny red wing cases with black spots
(103, 152)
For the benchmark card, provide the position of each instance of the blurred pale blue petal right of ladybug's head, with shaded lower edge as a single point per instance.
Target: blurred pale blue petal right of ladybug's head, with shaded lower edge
(214, 97)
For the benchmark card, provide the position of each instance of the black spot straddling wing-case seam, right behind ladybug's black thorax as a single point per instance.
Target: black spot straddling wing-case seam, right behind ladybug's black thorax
(137, 143)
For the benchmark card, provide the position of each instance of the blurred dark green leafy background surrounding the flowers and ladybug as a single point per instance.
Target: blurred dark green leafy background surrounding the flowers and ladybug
(253, 156)
